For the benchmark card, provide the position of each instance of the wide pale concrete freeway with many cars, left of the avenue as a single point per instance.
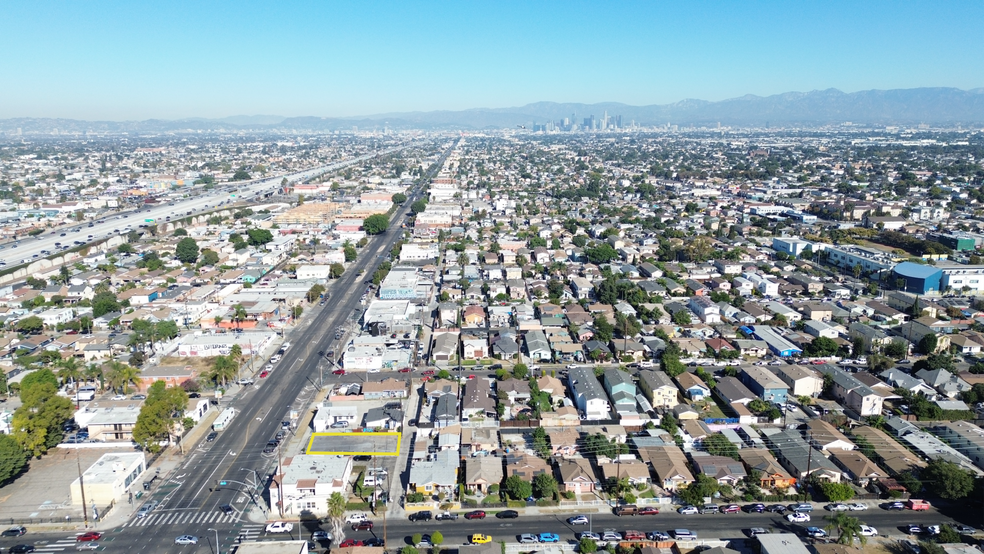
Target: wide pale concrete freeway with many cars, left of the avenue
(30, 249)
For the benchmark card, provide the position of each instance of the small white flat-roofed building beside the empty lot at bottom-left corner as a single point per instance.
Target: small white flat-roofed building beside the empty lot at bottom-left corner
(108, 480)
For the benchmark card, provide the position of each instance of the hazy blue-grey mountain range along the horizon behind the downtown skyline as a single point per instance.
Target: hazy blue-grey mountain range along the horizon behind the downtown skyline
(934, 106)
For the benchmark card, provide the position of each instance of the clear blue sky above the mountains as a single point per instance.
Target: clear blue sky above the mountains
(134, 60)
